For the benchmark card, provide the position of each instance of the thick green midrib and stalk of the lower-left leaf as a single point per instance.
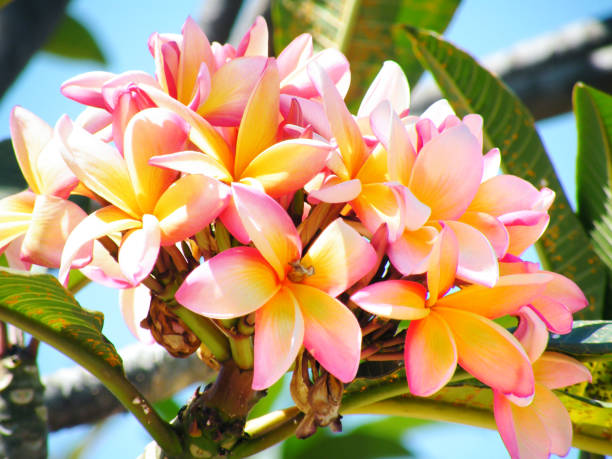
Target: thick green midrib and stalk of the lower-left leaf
(112, 377)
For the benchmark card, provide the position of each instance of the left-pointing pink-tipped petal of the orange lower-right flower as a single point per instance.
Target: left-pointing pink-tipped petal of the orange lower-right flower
(394, 299)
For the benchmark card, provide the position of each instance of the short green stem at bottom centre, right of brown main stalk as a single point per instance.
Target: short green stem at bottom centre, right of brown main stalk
(268, 430)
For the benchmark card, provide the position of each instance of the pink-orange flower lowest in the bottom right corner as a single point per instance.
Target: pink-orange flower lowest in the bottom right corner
(543, 427)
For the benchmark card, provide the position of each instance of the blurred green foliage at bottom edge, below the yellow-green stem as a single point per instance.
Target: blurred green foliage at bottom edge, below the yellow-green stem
(373, 440)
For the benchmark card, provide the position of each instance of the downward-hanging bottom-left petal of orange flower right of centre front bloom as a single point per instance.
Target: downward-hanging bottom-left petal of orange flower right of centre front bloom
(430, 355)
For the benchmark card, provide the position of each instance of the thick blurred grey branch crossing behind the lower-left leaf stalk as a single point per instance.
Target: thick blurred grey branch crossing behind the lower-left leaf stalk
(73, 396)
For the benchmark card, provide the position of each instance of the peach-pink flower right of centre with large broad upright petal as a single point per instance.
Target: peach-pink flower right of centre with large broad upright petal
(437, 182)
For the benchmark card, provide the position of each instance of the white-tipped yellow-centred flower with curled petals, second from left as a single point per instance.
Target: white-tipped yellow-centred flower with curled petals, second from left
(149, 204)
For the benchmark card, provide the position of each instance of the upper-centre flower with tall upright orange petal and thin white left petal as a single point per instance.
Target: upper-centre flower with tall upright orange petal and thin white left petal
(279, 168)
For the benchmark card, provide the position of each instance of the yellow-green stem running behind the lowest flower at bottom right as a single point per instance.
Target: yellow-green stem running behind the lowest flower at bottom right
(424, 408)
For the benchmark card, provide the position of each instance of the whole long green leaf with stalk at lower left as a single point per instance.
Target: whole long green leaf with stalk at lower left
(39, 305)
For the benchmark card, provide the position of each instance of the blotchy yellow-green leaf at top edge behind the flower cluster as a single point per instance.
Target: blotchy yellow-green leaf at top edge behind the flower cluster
(360, 29)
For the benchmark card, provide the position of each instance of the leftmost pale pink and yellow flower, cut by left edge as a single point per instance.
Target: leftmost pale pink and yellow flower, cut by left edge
(36, 222)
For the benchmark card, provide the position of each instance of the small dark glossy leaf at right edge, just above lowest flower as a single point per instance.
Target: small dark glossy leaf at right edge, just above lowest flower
(587, 338)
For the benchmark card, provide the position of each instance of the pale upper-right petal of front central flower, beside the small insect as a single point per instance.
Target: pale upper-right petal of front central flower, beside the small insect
(340, 257)
